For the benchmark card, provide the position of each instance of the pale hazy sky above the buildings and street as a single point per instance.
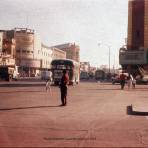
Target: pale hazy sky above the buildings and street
(94, 25)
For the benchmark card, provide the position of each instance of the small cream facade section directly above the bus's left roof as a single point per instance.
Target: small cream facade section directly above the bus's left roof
(58, 54)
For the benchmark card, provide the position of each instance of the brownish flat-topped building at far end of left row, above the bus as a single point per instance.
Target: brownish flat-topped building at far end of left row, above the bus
(72, 50)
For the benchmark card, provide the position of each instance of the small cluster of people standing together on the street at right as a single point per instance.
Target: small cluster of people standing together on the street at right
(131, 82)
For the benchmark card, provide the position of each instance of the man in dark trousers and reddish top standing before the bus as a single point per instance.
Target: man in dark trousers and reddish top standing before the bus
(63, 87)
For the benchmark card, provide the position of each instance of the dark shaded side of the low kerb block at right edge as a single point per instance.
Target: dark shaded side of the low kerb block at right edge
(130, 111)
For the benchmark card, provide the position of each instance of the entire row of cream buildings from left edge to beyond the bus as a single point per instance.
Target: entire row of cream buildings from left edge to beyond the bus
(23, 47)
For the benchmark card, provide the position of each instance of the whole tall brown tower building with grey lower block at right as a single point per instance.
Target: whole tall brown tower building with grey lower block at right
(134, 54)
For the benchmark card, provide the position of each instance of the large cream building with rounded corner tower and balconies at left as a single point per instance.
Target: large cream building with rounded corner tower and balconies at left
(25, 46)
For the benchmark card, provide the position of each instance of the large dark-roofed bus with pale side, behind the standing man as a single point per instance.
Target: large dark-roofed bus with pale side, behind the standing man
(73, 68)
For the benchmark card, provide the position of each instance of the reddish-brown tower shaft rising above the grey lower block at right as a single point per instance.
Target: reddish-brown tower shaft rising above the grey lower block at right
(137, 24)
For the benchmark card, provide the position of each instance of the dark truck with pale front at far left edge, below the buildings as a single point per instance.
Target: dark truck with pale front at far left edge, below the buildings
(9, 73)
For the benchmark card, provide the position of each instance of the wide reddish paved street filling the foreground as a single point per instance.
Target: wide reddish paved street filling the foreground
(97, 114)
